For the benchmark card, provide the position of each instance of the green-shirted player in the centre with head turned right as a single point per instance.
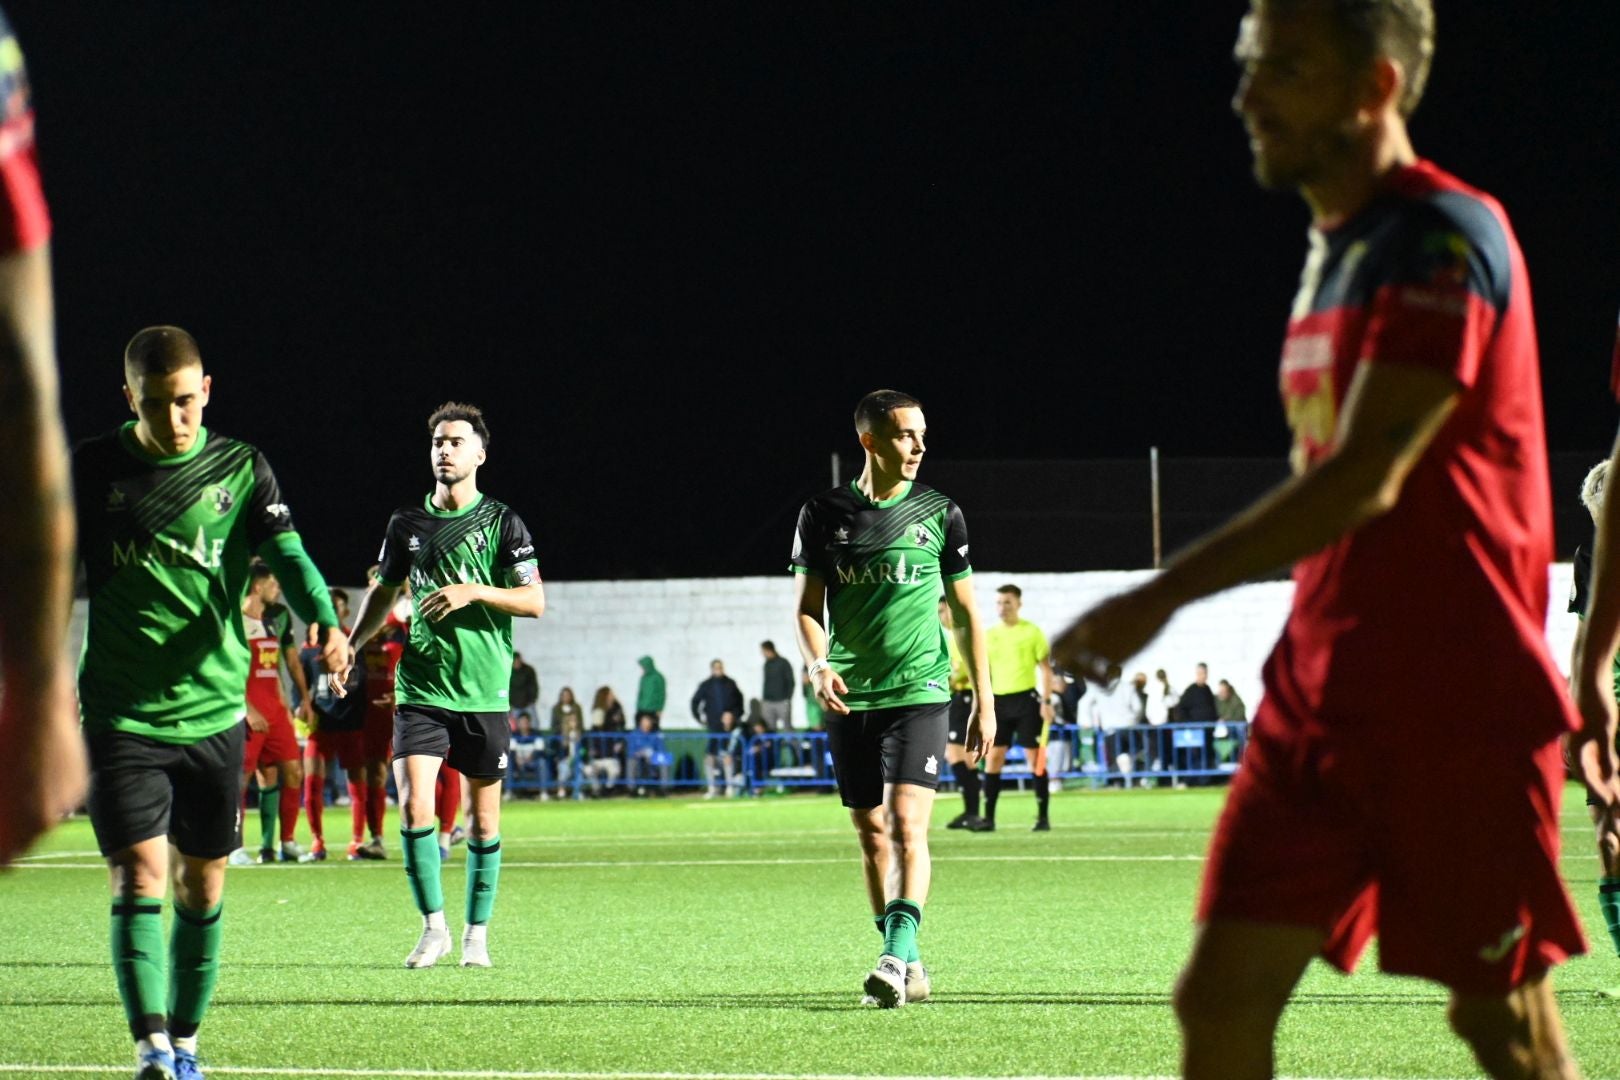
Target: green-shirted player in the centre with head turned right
(872, 559)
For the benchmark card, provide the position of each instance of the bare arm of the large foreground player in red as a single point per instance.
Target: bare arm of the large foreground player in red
(1392, 414)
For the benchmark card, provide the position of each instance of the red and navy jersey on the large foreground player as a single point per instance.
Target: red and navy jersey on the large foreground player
(1435, 613)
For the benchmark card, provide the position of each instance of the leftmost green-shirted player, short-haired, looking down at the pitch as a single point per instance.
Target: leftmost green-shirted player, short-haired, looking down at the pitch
(169, 517)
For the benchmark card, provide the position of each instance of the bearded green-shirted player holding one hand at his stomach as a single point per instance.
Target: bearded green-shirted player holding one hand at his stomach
(471, 563)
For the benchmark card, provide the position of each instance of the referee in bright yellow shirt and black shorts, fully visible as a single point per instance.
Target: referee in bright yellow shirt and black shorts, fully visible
(1021, 678)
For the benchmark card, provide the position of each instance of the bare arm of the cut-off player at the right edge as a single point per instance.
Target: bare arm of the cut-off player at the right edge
(1592, 749)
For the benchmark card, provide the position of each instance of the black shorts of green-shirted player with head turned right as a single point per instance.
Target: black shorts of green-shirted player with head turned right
(879, 747)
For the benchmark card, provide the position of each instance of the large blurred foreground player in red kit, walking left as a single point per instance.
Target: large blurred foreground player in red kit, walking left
(1420, 521)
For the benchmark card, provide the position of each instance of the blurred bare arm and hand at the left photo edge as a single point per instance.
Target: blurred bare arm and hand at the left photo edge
(40, 720)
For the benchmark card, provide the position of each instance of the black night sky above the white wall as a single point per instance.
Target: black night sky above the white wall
(668, 247)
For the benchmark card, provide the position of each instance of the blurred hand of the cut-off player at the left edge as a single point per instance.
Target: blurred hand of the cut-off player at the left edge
(45, 750)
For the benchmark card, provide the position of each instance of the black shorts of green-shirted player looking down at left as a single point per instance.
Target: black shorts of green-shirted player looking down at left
(143, 789)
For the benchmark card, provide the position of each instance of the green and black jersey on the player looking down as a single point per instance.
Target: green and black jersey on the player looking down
(166, 546)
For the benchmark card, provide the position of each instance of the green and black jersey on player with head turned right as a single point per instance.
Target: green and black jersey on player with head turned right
(885, 566)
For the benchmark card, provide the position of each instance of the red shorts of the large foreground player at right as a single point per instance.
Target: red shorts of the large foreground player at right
(1444, 849)
